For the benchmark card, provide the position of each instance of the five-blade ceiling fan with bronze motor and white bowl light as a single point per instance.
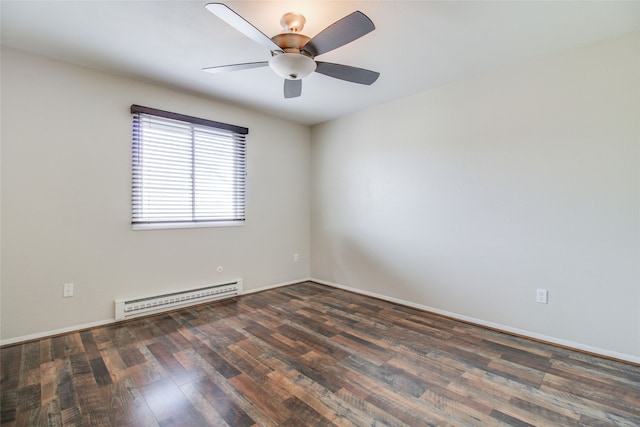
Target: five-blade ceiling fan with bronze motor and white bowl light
(293, 53)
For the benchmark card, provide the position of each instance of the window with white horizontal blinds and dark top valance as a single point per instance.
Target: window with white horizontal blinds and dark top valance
(186, 171)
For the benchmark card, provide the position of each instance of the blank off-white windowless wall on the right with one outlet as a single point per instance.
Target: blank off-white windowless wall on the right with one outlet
(468, 197)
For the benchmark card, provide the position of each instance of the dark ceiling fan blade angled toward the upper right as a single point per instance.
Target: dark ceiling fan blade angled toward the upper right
(341, 32)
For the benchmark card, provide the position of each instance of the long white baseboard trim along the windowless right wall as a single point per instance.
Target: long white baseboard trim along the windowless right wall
(496, 326)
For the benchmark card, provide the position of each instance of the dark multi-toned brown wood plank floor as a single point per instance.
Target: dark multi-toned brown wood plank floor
(311, 355)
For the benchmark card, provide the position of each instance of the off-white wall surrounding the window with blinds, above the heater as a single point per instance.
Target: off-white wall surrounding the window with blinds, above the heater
(66, 190)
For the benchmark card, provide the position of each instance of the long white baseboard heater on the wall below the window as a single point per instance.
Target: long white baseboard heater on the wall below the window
(126, 309)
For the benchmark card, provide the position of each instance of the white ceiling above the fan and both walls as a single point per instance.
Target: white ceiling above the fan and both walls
(417, 45)
